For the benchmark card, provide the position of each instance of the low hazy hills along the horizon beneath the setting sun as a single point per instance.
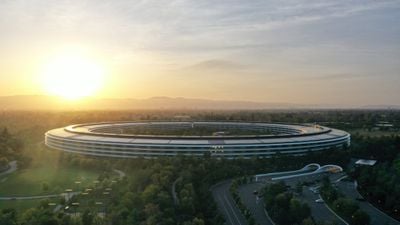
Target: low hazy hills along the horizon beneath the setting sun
(42, 102)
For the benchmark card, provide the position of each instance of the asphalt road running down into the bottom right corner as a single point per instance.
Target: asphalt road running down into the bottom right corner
(377, 216)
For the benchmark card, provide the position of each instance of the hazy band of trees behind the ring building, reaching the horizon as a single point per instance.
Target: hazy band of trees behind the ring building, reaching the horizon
(31, 125)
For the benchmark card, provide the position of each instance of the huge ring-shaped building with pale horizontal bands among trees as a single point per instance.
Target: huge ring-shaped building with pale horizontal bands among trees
(220, 139)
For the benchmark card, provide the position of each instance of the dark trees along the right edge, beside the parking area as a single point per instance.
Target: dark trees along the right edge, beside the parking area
(379, 184)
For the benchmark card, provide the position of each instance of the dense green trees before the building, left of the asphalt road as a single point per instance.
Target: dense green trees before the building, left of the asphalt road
(151, 188)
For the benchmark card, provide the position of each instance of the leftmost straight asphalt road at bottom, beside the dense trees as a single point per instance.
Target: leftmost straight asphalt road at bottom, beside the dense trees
(227, 205)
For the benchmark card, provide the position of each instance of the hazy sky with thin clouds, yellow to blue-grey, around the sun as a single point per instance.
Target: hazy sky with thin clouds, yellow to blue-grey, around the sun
(318, 52)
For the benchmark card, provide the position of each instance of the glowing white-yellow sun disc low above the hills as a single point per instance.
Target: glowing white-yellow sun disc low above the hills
(72, 76)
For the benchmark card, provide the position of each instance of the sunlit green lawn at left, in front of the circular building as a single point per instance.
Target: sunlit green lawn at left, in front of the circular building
(30, 181)
